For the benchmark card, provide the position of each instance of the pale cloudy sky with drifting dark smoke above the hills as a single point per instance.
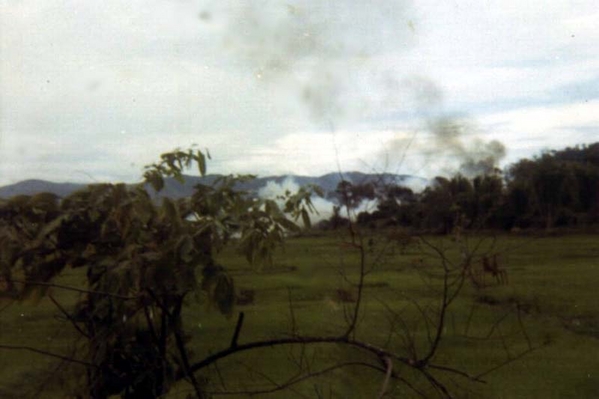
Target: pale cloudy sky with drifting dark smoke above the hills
(93, 91)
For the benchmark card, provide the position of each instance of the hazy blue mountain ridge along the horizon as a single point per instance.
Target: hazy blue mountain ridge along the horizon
(174, 189)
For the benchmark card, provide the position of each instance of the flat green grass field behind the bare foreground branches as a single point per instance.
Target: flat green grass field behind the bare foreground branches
(552, 280)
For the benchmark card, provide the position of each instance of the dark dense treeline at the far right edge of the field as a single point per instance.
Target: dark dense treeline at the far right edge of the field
(555, 189)
